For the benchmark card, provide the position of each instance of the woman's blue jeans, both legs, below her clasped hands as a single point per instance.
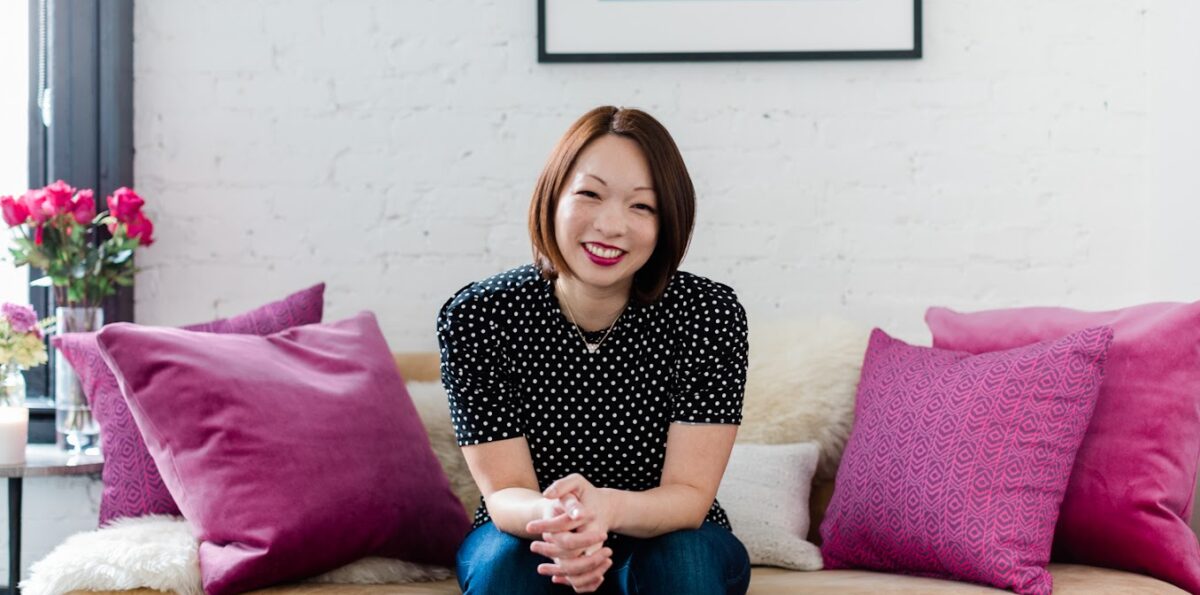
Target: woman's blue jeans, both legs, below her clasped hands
(697, 562)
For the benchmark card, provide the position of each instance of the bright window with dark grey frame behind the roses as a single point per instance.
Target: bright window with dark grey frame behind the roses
(86, 49)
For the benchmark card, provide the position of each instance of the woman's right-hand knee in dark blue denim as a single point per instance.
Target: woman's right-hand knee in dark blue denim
(698, 562)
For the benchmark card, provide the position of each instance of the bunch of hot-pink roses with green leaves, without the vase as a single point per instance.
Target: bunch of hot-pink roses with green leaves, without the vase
(57, 231)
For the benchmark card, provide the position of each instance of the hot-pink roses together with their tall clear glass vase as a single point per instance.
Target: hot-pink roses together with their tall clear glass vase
(59, 231)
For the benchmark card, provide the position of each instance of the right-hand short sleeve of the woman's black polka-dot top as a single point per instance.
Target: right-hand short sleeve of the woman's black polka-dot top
(713, 358)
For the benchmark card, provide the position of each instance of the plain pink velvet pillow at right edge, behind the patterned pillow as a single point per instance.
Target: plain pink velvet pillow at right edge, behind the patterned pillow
(1131, 494)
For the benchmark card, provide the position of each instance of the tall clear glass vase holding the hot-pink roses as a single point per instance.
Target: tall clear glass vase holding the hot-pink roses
(76, 429)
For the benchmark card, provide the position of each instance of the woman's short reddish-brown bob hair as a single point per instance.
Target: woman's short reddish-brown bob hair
(674, 193)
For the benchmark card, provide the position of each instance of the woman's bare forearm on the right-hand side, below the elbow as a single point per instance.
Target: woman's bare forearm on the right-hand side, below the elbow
(657, 512)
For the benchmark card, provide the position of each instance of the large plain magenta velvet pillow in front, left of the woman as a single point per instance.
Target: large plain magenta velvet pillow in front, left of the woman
(292, 454)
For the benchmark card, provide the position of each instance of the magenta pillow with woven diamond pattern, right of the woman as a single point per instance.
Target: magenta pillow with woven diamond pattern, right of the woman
(957, 464)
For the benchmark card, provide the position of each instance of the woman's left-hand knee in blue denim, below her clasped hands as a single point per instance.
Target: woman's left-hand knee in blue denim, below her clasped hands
(493, 562)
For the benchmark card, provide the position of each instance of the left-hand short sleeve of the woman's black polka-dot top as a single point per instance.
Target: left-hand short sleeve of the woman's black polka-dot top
(473, 370)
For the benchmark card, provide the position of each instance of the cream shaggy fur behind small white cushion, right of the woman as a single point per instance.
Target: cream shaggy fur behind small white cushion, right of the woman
(801, 386)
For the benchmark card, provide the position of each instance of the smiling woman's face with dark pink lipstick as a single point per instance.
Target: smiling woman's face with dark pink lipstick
(608, 224)
